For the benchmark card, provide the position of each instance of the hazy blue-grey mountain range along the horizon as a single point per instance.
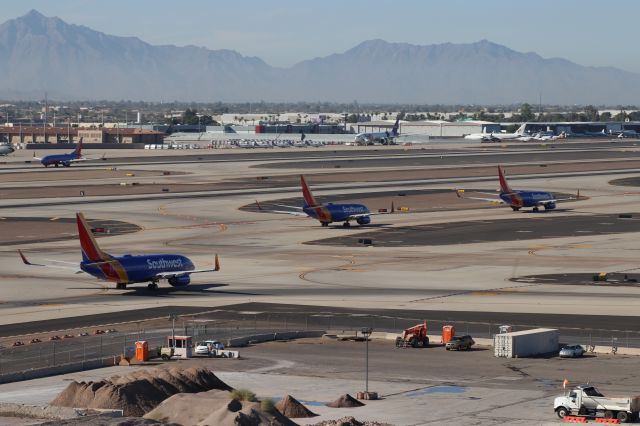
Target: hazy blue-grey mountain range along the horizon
(39, 53)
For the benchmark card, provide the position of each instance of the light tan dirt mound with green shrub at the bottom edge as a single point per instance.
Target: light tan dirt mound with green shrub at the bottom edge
(214, 408)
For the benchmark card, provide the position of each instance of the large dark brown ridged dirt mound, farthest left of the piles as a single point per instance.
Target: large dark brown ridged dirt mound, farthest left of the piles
(139, 392)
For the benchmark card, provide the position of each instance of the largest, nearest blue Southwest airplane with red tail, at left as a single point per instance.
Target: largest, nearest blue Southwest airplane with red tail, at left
(128, 269)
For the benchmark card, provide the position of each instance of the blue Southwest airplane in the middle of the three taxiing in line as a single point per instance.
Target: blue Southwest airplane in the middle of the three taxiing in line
(326, 213)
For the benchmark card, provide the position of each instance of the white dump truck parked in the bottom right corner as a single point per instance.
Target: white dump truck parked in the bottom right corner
(588, 402)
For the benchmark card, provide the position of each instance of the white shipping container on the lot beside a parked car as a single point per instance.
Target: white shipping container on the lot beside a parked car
(526, 343)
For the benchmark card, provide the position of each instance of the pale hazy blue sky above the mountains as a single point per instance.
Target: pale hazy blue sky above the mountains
(283, 32)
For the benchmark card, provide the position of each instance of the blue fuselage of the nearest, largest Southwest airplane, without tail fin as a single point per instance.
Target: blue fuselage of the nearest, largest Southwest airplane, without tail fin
(129, 269)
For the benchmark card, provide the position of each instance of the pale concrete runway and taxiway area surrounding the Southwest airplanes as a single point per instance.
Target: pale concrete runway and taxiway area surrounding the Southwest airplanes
(444, 255)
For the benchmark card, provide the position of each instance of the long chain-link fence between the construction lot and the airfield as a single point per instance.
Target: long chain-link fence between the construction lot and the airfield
(226, 325)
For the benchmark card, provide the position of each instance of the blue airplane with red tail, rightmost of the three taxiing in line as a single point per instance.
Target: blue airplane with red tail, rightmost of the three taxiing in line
(518, 199)
